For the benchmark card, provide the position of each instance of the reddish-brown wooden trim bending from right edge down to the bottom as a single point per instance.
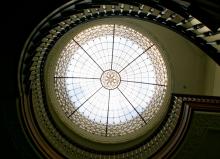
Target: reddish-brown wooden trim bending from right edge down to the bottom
(200, 103)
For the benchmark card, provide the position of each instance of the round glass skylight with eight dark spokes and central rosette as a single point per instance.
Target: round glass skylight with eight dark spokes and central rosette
(110, 80)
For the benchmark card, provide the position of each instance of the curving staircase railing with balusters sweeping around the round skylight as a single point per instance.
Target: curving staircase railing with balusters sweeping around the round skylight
(37, 118)
